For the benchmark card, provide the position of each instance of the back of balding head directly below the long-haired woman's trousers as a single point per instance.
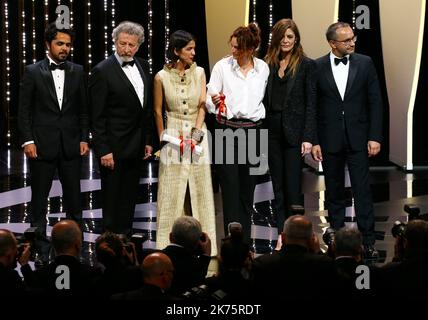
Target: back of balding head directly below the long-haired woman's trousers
(298, 230)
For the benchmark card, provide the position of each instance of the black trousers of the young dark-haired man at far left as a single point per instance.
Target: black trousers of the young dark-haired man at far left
(42, 174)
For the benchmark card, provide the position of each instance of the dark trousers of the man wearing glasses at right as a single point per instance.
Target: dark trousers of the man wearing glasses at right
(334, 174)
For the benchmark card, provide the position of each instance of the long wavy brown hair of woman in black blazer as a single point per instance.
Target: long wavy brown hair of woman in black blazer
(274, 52)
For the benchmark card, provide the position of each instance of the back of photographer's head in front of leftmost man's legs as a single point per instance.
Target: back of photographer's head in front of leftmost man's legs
(67, 238)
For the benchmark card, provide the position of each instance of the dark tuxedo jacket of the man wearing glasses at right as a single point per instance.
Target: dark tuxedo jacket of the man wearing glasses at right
(361, 109)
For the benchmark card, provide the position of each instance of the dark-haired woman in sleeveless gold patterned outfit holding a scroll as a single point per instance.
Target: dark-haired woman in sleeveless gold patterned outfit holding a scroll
(184, 186)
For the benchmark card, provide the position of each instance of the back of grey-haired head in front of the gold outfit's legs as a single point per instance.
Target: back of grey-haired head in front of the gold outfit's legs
(186, 232)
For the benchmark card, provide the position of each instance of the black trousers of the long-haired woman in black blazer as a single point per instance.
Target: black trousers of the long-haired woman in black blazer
(285, 166)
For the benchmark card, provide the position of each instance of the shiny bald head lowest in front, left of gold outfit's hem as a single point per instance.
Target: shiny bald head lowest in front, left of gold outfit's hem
(158, 270)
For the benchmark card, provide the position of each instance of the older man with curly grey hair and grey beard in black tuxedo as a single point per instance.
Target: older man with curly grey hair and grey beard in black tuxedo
(122, 124)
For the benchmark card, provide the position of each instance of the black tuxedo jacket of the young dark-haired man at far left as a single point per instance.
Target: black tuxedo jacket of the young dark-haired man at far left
(40, 117)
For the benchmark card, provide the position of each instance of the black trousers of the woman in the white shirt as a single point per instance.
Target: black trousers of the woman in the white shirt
(236, 183)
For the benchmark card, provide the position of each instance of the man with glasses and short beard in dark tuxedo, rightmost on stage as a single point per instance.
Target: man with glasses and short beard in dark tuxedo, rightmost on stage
(349, 110)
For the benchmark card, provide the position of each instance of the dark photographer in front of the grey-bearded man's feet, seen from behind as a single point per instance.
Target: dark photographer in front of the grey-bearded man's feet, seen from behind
(120, 270)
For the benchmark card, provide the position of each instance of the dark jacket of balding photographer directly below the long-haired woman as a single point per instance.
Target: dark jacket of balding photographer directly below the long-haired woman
(293, 273)
